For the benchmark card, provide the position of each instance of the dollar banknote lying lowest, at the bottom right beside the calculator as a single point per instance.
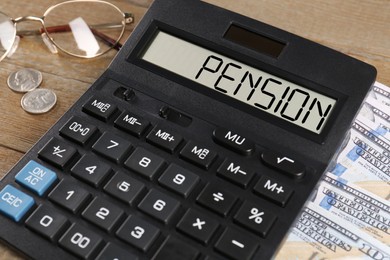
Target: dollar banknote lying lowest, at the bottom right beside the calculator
(318, 235)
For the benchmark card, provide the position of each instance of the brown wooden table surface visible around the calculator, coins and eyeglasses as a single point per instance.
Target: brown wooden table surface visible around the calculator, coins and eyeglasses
(359, 28)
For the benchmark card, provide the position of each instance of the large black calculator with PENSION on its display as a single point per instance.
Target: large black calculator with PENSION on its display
(202, 140)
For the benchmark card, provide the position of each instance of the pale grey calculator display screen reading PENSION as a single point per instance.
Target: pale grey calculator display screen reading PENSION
(293, 103)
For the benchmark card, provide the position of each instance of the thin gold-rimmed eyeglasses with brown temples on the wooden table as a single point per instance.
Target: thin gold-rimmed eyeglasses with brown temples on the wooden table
(81, 28)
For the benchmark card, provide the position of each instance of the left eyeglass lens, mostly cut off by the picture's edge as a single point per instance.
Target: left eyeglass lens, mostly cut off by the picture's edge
(7, 34)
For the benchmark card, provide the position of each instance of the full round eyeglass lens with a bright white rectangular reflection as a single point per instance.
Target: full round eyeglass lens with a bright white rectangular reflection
(85, 29)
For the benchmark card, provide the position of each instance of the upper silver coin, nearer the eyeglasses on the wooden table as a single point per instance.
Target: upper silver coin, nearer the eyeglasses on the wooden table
(24, 80)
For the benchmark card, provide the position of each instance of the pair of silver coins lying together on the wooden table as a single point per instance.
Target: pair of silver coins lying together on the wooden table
(35, 101)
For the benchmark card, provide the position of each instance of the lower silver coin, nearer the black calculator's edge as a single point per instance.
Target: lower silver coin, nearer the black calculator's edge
(38, 101)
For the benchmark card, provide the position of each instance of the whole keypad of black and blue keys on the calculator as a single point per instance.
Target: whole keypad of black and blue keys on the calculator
(133, 184)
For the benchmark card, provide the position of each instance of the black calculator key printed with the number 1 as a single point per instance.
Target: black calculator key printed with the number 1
(69, 195)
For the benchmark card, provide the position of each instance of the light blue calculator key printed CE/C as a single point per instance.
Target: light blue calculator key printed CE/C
(14, 203)
